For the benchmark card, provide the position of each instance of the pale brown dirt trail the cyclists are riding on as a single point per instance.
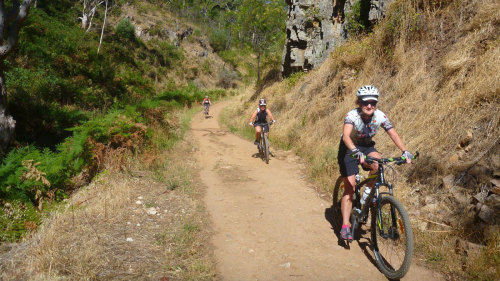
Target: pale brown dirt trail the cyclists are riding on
(269, 225)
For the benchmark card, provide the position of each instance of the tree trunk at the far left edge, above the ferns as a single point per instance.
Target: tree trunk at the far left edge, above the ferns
(10, 24)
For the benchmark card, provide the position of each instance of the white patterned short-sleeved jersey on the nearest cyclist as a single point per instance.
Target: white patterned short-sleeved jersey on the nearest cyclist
(364, 131)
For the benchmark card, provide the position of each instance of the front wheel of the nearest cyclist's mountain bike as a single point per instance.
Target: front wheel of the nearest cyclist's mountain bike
(392, 238)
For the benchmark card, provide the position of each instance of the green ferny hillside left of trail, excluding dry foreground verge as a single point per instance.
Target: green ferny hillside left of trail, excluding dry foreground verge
(76, 101)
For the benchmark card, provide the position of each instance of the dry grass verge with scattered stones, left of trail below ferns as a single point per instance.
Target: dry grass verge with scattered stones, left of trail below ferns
(143, 223)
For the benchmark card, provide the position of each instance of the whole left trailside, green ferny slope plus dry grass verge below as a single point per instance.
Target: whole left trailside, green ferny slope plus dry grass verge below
(98, 132)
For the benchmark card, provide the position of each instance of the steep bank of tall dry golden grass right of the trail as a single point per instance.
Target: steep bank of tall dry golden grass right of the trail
(437, 67)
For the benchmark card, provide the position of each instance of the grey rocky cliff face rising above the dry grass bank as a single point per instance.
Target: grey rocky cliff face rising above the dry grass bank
(315, 27)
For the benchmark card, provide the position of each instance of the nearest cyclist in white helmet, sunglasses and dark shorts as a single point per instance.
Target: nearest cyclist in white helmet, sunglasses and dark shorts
(360, 125)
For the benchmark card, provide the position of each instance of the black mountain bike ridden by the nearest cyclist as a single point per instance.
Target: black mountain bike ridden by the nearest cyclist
(391, 232)
